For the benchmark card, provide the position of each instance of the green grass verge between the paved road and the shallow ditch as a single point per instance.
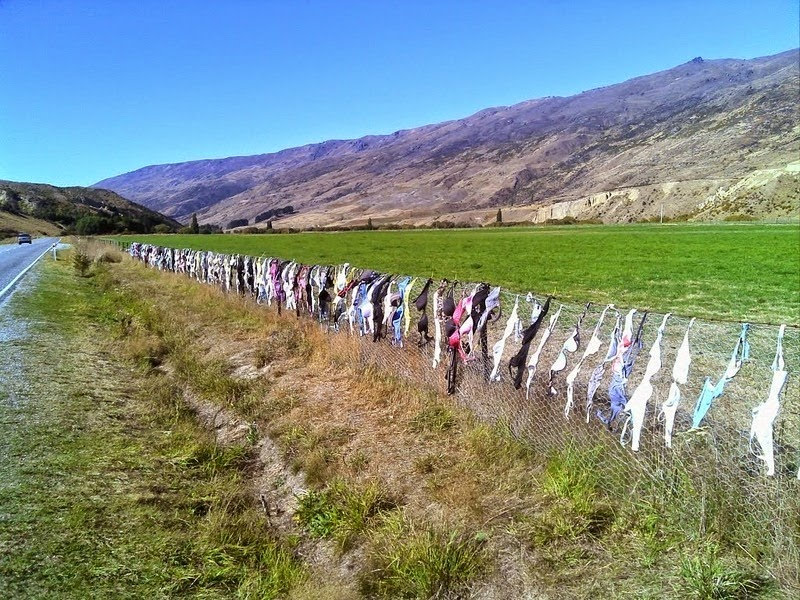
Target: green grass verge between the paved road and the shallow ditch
(112, 488)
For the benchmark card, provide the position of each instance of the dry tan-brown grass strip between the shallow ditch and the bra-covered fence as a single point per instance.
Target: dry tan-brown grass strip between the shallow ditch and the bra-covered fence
(332, 415)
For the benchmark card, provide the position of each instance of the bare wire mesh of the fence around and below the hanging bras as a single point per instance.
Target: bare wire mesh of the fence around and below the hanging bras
(711, 477)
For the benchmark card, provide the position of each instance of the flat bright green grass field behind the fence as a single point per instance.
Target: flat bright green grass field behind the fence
(737, 271)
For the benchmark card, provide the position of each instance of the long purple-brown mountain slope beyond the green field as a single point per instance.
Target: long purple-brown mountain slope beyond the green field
(706, 139)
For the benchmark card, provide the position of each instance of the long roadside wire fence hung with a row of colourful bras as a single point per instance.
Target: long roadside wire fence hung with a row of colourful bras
(713, 476)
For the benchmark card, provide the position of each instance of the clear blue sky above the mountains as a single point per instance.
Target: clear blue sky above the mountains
(93, 89)
